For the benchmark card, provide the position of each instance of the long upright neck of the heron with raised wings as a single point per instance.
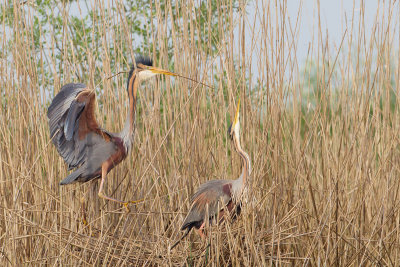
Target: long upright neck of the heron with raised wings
(128, 132)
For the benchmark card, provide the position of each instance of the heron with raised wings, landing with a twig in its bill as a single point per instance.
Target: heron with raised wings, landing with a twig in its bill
(83, 144)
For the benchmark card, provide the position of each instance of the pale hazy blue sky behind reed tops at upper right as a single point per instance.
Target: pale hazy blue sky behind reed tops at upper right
(335, 16)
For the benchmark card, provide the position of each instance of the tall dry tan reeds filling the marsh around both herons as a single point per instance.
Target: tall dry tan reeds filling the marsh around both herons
(323, 139)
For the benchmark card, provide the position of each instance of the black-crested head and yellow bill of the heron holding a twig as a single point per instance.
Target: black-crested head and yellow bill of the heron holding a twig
(144, 69)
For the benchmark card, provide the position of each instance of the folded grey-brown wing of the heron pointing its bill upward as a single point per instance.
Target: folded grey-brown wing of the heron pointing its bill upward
(210, 197)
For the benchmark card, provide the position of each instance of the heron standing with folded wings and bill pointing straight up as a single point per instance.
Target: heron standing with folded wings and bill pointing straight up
(214, 199)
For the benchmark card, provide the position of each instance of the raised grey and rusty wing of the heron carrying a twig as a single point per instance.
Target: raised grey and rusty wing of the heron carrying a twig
(72, 122)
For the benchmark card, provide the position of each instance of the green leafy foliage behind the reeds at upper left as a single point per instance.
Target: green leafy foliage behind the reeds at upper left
(71, 29)
